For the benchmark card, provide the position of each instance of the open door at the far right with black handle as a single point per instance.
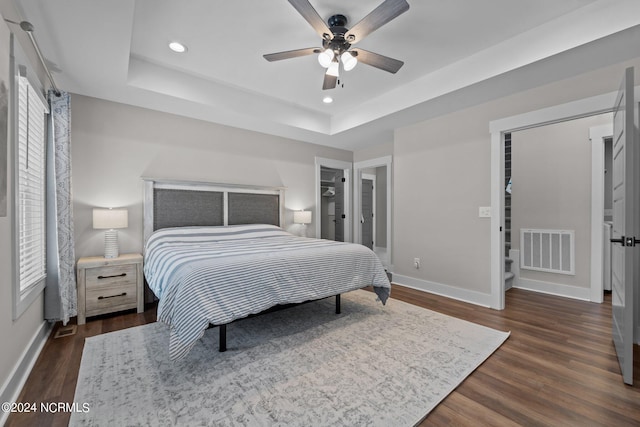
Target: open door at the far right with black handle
(624, 225)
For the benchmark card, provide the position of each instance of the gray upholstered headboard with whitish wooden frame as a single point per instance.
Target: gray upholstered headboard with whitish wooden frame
(185, 203)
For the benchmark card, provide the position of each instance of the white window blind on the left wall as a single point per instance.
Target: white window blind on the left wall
(31, 186)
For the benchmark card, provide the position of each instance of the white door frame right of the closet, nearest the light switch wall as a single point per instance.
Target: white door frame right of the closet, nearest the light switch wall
(358, 168)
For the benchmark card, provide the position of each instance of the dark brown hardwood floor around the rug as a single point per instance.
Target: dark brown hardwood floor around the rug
(558, 367)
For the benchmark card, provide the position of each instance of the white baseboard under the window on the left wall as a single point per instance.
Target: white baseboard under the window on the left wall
(13, 385)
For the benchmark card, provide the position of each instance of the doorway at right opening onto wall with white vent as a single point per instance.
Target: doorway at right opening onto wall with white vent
(551, 208)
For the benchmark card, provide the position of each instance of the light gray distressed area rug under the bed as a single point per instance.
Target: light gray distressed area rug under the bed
(305, 366)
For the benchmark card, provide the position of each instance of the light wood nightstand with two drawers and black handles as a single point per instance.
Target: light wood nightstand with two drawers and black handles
(106, 285)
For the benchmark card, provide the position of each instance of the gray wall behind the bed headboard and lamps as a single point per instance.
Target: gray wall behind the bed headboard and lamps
(114, 145)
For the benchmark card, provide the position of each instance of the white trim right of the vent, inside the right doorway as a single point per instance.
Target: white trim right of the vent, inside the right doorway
(597, 135)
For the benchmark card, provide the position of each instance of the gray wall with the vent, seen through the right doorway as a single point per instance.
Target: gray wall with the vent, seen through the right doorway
(551, 184)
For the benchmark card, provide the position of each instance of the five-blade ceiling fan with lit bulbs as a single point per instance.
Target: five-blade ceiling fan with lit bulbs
(337, 40)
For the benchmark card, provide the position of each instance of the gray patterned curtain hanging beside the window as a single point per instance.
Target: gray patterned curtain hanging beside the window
(60, 292)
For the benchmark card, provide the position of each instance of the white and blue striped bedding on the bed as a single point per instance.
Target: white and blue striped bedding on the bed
(214, 275)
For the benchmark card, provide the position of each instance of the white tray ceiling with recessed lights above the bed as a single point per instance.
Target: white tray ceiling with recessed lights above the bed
(117, 50)
